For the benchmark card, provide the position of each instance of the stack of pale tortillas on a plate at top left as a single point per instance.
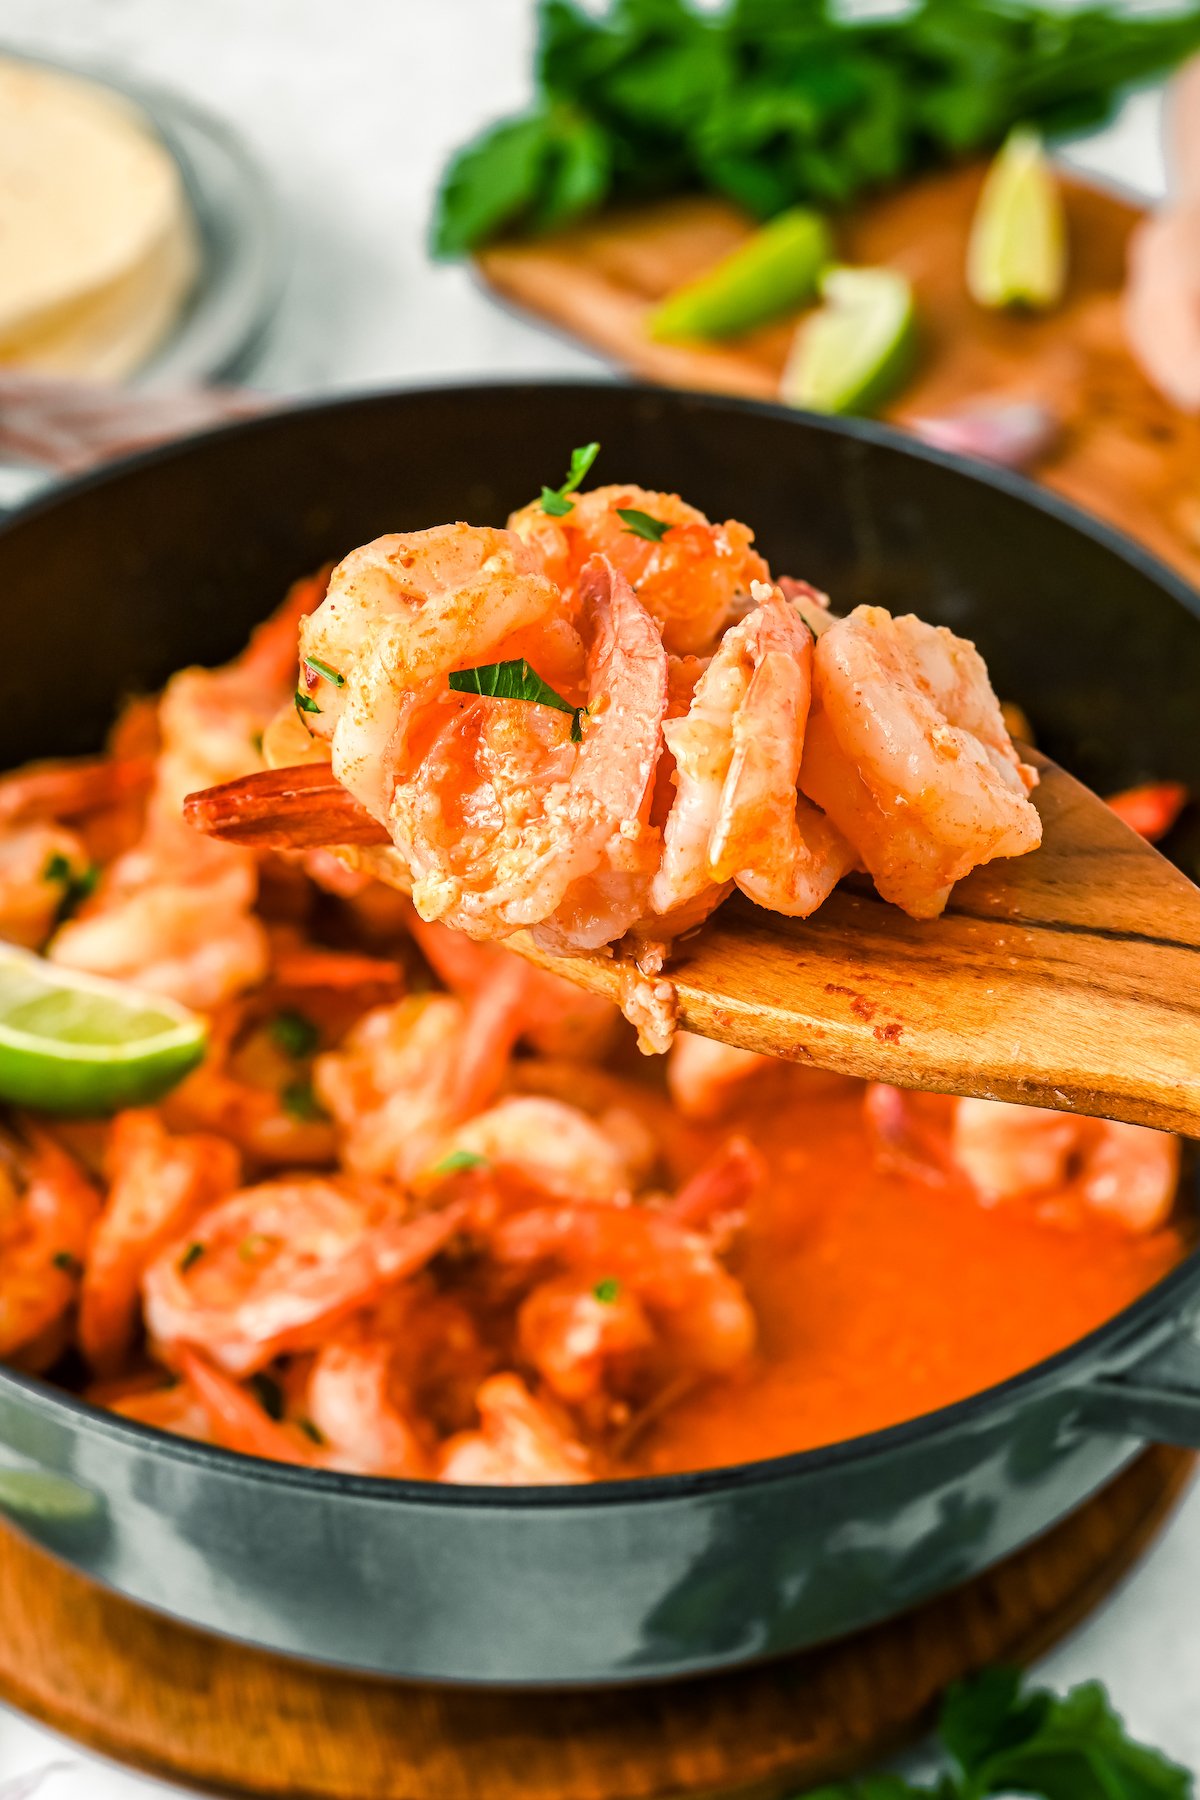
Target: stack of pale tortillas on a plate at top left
(98, 244)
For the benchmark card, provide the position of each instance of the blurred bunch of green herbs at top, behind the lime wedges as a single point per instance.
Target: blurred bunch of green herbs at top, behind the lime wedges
(784, 102)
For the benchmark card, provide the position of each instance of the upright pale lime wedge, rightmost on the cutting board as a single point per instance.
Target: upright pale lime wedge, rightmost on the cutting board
(1017, 251)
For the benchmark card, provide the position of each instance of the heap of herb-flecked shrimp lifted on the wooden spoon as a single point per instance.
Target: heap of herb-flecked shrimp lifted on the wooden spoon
(596, 723)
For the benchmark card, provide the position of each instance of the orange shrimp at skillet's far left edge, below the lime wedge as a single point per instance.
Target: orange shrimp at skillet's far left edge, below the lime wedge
(48, 1212)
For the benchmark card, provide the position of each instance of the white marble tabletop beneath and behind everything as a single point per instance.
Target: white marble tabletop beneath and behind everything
(354, 107)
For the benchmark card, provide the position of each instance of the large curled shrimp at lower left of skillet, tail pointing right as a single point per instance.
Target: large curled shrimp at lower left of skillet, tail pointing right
(274, 1268)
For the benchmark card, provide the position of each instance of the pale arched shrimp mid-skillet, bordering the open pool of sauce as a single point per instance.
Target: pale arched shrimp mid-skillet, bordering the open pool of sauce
(544, 1144)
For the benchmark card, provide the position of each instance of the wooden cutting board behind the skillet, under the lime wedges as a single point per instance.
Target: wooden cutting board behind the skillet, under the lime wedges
(1125, 453)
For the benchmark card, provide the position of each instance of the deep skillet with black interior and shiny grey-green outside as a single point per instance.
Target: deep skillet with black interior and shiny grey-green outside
(116, 580)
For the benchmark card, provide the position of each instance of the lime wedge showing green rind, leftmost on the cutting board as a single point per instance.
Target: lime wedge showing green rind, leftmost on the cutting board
(769, 274)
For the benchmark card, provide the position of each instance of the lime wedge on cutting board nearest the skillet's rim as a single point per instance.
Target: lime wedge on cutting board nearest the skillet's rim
(854, 354)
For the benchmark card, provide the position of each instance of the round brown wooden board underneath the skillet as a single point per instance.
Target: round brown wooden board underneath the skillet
(179, 1704)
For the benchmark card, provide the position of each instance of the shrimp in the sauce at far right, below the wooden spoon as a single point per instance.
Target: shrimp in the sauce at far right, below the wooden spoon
(1127, 1174)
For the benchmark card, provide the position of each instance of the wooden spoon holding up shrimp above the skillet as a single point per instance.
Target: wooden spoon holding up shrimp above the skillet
(1068, 978)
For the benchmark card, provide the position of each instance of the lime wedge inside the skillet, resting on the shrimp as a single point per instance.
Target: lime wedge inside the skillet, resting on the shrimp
(73, 1043)
